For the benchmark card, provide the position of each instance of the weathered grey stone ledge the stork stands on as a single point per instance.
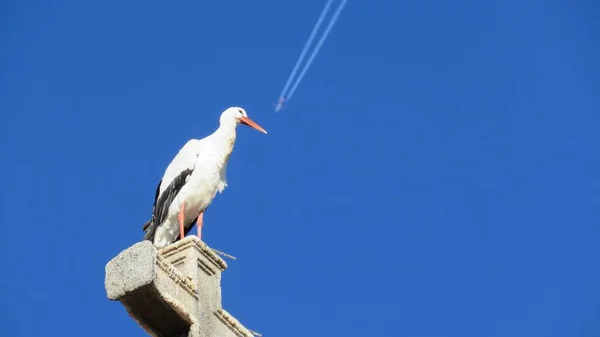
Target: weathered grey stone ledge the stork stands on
(172, 292)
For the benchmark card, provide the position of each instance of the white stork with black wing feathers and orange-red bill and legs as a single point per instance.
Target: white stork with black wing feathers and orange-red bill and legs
(192, 180)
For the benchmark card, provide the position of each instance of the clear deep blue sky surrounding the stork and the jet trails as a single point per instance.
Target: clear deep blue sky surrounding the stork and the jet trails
(435, 174)
